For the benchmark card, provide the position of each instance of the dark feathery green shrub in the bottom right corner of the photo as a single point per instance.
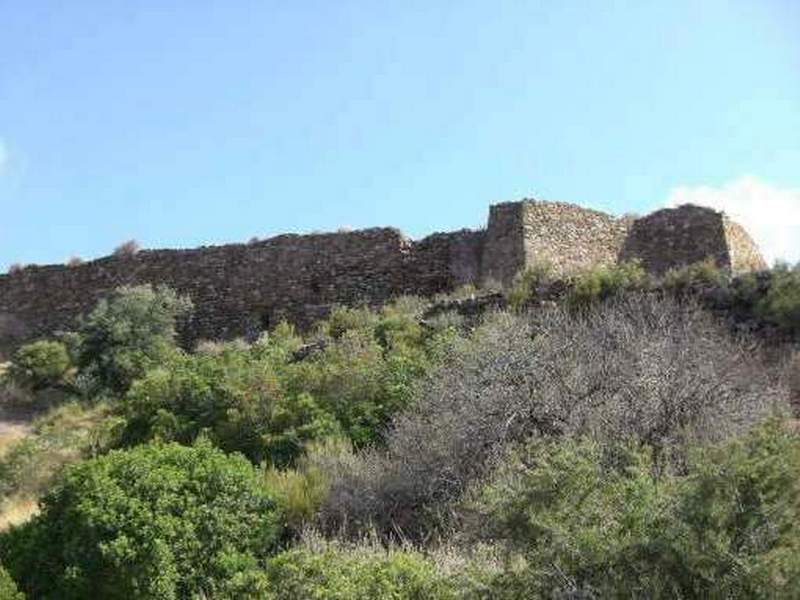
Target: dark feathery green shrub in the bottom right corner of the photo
(739, 519)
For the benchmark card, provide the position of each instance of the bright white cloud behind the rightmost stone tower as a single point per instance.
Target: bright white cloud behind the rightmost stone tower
(770, 214)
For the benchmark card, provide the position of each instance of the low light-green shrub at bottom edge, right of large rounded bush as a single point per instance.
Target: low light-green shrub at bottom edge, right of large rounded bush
(355, 574)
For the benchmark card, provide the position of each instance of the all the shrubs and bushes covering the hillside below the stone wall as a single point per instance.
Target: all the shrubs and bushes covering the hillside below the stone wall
(606, 436)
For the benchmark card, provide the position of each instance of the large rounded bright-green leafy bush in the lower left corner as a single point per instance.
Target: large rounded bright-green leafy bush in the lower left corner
(157, 521)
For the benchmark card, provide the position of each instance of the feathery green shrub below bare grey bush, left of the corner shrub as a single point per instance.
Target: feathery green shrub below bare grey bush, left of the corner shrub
(572, 514)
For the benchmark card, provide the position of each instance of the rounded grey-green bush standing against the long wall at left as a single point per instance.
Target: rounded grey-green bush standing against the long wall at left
(129, 333)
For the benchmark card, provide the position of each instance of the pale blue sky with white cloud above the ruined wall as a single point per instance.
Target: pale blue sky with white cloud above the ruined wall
(184, 123)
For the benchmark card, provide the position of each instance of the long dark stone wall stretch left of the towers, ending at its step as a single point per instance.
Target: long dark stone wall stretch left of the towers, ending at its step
(237, 289)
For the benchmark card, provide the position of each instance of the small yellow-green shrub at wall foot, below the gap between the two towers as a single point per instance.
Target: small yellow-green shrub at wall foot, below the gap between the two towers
(604, 282)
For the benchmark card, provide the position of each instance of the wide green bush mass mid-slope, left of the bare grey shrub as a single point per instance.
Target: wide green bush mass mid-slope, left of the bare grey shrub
(261, 401)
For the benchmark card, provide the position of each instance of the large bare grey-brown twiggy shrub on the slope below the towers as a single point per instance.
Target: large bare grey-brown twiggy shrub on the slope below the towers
(640, 368)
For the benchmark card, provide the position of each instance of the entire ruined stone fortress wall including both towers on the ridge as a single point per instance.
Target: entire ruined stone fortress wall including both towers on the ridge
(242, 289)
